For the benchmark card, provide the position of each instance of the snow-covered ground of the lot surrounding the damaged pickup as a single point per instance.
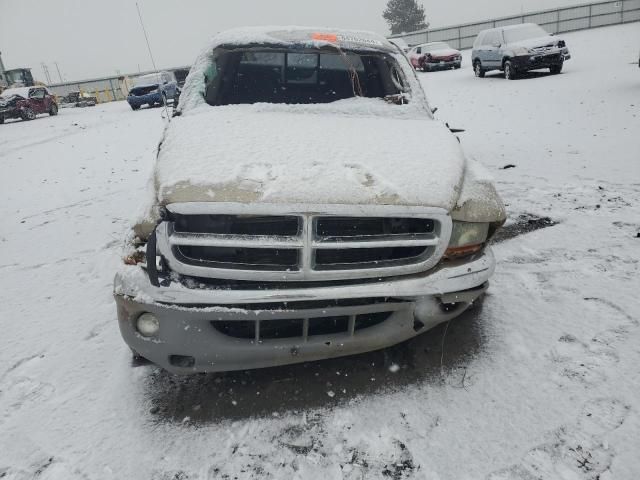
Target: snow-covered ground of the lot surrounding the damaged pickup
(541, 381)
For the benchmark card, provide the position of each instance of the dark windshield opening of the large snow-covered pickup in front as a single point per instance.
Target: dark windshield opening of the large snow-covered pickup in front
(299, 77)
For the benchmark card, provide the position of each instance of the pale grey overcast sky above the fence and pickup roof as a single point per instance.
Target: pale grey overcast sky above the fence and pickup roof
(89, 38)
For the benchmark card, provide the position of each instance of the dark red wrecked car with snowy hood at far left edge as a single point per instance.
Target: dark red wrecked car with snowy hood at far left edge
(26, 103)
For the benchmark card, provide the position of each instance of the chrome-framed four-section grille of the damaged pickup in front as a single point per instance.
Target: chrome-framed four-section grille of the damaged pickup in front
(273, 243)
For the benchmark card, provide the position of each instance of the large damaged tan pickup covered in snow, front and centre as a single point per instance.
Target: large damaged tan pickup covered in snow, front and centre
(295, 214)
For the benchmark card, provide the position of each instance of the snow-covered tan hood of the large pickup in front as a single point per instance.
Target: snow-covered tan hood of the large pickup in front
(346, 152)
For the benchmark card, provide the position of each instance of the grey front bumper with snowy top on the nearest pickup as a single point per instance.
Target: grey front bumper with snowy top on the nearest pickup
(188, 342)
